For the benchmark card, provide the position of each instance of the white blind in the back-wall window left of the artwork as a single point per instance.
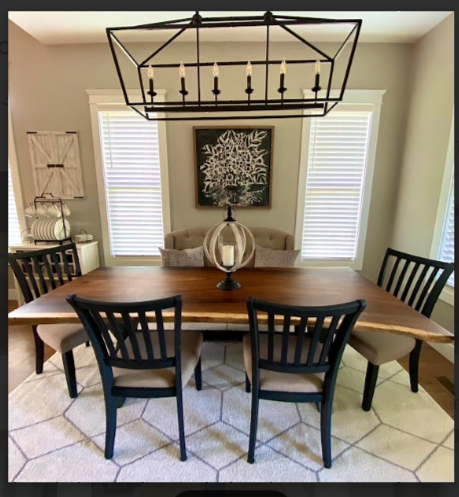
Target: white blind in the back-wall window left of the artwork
(130, 153)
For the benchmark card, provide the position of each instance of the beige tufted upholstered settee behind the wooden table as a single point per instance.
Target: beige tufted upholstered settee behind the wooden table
(194, 237)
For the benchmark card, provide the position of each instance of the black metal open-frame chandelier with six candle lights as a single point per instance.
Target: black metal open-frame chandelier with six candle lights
(206, 100)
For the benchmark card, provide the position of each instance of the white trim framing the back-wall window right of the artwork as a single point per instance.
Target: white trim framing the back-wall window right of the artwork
(355, 97)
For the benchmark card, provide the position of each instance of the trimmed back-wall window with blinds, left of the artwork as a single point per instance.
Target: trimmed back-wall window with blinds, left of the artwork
(132, 181)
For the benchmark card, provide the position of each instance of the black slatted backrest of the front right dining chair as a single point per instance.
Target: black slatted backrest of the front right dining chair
(307, 353)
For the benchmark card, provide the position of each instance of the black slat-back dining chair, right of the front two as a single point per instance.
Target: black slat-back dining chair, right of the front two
(300, 367)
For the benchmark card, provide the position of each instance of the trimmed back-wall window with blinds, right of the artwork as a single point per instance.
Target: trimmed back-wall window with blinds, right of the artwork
(335, 183)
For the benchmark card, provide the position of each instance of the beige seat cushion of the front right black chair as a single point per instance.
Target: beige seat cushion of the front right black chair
(283, 382)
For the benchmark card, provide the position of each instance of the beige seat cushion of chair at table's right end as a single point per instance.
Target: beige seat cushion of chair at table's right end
(380, 347)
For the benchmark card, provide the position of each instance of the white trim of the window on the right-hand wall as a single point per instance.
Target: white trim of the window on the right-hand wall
(447, 295)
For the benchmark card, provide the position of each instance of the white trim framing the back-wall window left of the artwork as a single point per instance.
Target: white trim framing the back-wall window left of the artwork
(103, 100)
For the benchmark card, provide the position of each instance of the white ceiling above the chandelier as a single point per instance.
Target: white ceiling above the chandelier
(52, 28)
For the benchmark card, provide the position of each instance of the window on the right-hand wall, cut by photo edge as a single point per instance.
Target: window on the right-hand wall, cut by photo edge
(443, 238)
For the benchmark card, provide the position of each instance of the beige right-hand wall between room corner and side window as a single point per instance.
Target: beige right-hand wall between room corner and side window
(427, 135)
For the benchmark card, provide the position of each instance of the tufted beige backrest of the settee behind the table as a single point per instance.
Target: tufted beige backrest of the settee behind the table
(194, 237)
